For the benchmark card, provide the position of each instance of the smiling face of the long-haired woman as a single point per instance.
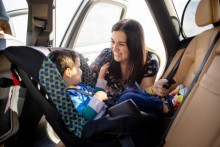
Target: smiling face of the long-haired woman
(119, 46)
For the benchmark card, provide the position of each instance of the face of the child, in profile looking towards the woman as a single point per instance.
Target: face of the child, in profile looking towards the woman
(76, 73)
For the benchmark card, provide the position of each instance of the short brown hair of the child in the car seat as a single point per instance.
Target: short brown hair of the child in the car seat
(63, 59)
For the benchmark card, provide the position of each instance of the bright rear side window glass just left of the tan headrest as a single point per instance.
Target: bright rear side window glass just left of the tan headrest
(189, 26)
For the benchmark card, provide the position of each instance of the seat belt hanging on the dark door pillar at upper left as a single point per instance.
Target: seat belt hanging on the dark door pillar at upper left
(39, 26)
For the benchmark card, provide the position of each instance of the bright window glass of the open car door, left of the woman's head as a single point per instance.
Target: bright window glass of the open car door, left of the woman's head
(95, 33)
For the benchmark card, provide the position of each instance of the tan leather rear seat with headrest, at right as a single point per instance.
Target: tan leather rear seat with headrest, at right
(197, 124)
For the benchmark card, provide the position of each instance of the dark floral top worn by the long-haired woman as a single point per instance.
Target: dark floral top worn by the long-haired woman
(114, 86)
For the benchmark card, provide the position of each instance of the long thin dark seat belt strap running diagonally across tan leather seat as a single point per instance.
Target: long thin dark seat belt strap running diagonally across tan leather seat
(195, 79)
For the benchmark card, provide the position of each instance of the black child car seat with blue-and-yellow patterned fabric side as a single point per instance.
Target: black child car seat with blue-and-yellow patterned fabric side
(46, 87)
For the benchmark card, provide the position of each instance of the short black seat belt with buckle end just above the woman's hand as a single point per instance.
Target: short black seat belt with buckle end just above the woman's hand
(172, 73)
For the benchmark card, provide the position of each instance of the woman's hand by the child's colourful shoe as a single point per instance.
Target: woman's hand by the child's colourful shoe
(158, 88)
